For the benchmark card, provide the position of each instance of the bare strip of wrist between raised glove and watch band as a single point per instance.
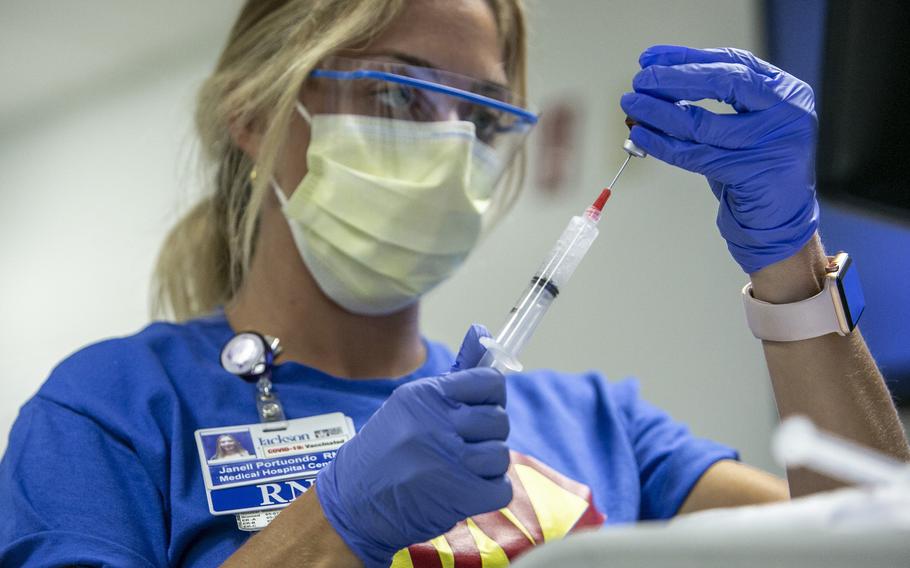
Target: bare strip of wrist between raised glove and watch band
(793, 279)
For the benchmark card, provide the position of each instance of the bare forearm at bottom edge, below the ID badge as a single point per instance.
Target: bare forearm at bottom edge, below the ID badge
(299, 536)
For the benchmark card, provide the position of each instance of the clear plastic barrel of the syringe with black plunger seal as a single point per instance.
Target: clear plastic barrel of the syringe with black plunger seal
(544, 287)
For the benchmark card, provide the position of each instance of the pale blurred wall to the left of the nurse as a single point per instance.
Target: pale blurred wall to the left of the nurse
(94, 166)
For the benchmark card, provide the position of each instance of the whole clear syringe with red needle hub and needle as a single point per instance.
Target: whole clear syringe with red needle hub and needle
(554, 272)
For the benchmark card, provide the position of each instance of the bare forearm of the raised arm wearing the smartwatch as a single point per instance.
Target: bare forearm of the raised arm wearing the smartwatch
(831, 379)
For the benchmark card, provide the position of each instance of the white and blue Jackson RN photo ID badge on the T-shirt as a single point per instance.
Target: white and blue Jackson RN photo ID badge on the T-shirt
(265, 466)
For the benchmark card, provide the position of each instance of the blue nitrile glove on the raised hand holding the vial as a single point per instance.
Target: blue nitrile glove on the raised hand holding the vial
(760, 162)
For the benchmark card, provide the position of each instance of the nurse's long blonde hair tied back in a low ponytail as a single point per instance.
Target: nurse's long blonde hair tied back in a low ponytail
(270, 51)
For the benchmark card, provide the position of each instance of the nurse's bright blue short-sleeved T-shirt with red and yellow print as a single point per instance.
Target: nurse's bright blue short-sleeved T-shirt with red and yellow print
(102, 466)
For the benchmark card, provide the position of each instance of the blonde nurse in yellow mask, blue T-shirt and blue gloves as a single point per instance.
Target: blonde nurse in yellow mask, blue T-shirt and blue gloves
(357, 150)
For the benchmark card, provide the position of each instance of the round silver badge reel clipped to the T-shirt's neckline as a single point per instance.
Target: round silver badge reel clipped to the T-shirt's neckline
(250, 356)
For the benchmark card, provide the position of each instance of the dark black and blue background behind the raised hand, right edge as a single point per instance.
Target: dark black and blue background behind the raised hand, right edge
(855, 54)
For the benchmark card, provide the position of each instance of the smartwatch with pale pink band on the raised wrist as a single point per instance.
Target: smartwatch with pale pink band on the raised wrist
(836, 309)
